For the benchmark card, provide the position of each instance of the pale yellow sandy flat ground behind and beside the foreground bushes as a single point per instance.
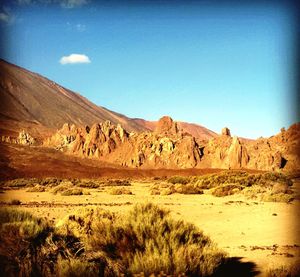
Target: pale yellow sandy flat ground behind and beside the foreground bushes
(261, 232)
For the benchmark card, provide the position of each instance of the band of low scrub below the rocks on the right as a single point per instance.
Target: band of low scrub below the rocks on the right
(263, 186)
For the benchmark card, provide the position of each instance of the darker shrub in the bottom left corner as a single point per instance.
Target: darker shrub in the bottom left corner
(29, 245)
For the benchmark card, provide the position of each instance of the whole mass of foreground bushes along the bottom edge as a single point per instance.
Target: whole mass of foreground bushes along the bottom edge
(93, 242)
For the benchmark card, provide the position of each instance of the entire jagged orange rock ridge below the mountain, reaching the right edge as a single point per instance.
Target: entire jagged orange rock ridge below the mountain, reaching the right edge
(169, 147)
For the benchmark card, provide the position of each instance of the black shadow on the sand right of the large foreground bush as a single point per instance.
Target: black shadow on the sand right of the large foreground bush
(236, 267)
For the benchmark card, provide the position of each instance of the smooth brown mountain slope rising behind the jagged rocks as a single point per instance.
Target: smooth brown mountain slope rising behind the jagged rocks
(31, 101)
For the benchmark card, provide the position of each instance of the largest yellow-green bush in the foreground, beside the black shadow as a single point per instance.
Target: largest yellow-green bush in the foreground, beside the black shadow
(146, 240)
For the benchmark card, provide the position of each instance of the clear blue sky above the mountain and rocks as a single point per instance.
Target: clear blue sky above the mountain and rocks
(212, 64)
